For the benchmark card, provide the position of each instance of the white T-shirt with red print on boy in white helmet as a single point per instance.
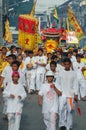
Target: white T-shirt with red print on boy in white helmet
(50, 98)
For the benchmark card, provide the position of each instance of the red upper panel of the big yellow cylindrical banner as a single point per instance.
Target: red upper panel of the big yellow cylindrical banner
(27, 25)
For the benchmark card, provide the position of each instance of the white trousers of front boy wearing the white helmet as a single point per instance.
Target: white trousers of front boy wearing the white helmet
(50, 120)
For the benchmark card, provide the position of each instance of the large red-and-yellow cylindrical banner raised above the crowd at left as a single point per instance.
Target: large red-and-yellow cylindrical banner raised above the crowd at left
(27, 26)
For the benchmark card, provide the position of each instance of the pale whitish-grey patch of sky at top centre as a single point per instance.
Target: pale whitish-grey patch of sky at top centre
(43, 5)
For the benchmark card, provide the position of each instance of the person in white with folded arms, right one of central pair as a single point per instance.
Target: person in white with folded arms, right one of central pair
(41, 62)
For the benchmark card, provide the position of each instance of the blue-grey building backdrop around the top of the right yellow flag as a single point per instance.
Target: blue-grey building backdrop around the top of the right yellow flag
(78, 9)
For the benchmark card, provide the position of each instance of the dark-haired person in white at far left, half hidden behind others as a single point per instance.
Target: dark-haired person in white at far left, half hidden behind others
(5, 79)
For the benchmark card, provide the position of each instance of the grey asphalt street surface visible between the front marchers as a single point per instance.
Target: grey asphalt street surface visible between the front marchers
(32, 118)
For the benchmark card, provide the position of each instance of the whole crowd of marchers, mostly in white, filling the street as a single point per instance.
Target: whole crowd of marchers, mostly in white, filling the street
(58, 78)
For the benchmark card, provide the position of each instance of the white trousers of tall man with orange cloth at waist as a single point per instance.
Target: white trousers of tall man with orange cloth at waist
(65, 113)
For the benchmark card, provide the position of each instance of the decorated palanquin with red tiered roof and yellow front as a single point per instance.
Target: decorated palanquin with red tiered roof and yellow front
(52, 36)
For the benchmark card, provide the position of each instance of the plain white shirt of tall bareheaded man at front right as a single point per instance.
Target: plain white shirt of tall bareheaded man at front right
(69, 83)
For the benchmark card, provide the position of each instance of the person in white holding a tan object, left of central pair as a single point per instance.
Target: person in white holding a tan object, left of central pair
(31, 72)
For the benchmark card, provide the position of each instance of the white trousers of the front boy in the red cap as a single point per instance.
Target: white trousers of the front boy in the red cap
(14, 121)
